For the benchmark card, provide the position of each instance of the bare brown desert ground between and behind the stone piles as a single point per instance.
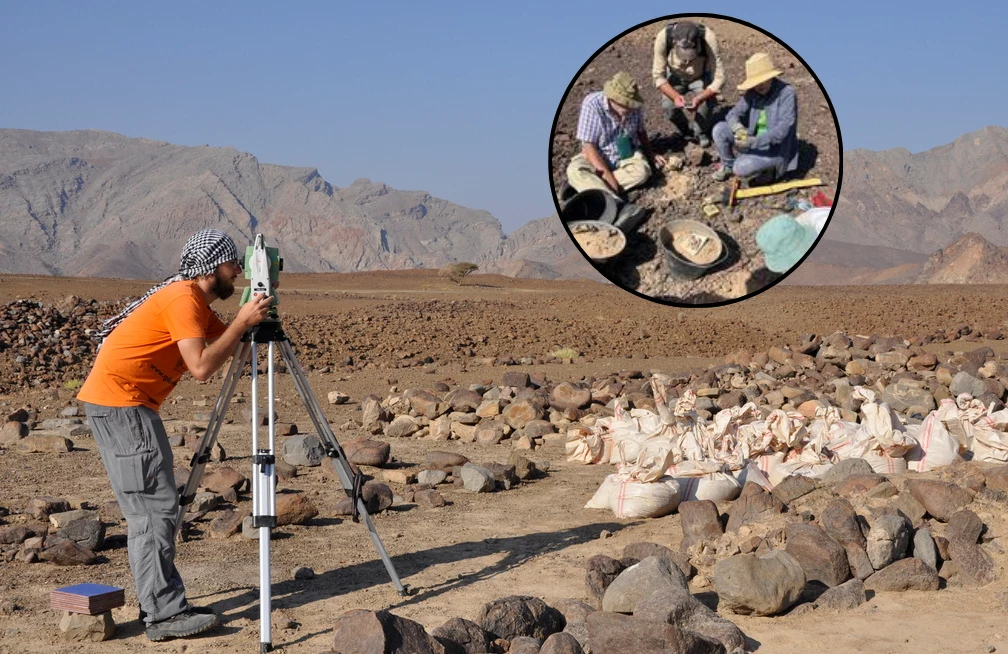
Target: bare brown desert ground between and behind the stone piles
(383, 334)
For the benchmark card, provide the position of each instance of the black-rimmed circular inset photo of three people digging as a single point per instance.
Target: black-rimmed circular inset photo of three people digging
(696, 160)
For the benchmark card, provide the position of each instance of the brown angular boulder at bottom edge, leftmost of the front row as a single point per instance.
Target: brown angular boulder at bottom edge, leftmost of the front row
(363, 632)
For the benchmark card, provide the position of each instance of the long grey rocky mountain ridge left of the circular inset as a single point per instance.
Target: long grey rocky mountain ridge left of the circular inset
(99, 204)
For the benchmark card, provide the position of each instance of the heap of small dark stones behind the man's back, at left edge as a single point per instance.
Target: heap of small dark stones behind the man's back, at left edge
(46, 345)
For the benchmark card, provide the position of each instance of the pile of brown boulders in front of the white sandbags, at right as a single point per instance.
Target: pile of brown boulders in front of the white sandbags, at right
(808, 546)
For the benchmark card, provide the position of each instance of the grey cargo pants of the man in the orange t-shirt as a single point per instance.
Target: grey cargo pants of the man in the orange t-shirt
(139, 459)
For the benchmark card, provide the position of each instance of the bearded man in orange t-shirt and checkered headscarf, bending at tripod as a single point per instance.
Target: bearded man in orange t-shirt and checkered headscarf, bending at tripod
(147, 350)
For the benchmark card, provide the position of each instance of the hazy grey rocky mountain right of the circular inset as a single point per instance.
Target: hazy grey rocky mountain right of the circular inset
(925, 202)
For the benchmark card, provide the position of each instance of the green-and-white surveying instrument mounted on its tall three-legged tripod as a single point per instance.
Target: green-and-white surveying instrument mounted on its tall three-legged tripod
(263, 268)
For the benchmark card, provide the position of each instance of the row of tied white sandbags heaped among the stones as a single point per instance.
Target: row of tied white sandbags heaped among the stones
(675, 450)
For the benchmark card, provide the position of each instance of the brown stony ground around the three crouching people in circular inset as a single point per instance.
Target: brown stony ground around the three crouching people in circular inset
(678, 195)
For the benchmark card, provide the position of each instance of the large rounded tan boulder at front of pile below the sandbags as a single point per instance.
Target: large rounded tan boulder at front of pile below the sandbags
(763, 585)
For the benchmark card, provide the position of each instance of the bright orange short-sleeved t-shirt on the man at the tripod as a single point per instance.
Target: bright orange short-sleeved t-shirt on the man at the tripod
(141, 362)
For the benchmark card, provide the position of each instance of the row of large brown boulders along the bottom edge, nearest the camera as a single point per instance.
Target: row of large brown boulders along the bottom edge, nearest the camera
(666, 618)
